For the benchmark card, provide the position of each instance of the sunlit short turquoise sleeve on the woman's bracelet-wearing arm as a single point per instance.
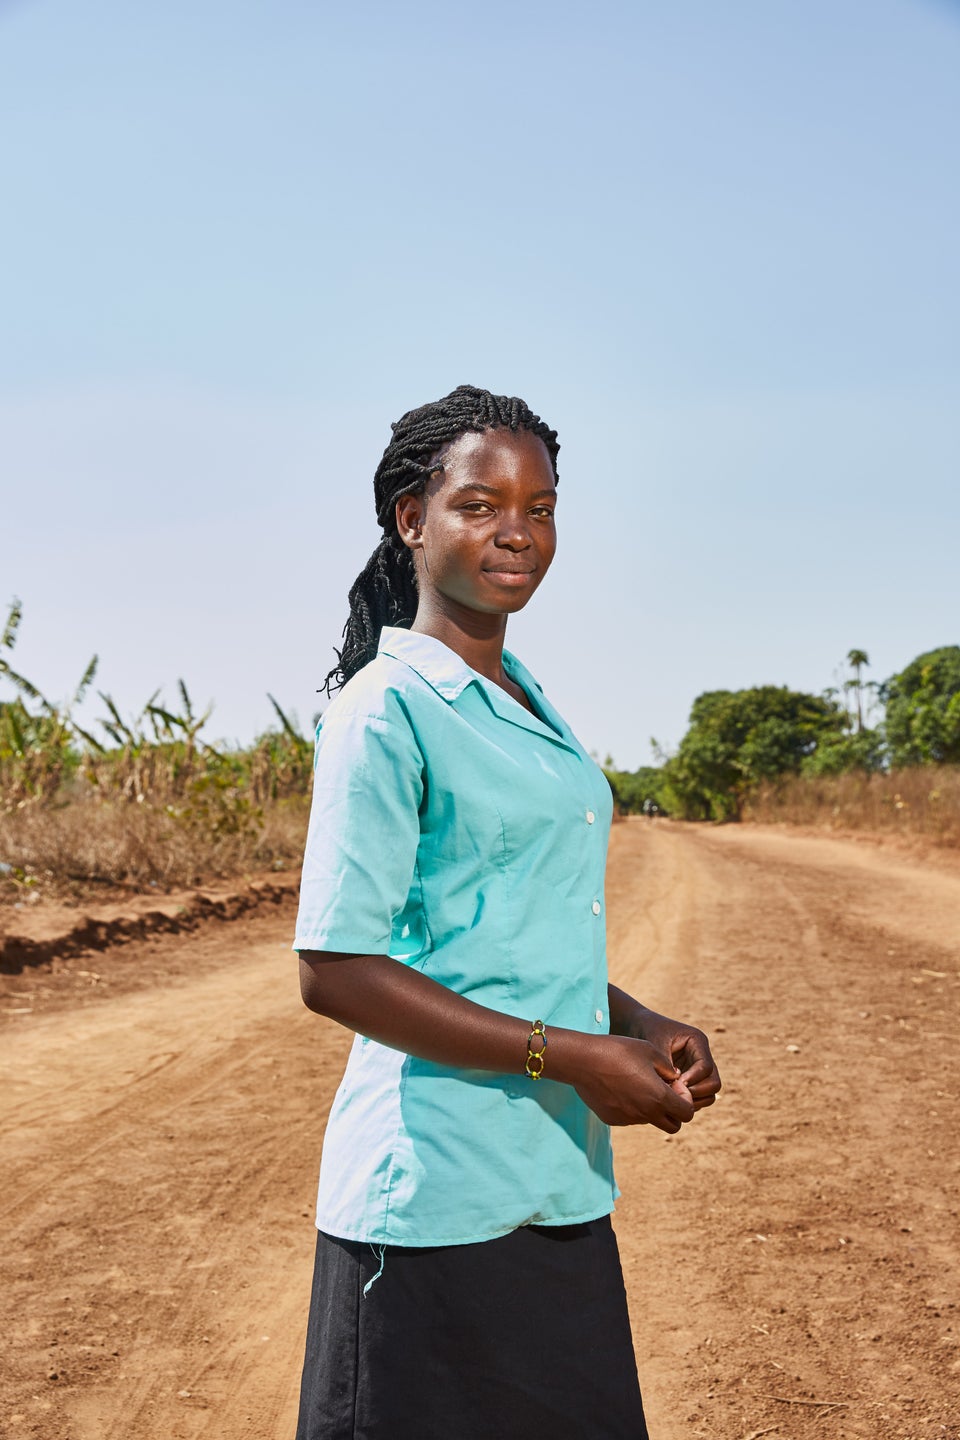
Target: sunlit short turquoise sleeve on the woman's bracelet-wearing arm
(365, 832)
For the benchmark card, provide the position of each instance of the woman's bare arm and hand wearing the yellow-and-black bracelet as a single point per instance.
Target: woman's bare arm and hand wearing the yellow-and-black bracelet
(624, 1081)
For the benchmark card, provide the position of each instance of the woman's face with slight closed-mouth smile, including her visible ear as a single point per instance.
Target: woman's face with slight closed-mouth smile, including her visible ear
(483, 534)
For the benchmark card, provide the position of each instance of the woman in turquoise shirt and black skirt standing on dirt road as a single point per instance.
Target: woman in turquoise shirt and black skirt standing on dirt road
(467, 1275)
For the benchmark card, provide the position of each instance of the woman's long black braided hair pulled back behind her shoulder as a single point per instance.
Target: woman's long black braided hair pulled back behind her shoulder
(385, 593)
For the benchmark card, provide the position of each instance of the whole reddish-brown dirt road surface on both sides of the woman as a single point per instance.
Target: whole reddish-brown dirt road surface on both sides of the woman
(791, 1256)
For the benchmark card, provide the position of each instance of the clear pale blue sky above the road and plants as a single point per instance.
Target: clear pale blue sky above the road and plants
(716, 246)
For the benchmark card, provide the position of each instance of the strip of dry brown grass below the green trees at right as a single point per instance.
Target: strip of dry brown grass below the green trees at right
(923, 803)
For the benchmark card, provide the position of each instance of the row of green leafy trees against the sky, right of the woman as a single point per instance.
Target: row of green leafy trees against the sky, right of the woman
(739, 739)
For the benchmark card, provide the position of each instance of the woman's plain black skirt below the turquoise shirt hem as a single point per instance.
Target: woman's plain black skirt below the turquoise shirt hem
(517, 1337)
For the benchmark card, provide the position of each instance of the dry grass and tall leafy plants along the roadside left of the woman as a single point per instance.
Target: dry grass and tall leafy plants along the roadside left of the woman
(148, 804)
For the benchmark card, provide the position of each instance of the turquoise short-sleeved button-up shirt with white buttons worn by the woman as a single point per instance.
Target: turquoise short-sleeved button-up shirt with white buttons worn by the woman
(467, 839)
